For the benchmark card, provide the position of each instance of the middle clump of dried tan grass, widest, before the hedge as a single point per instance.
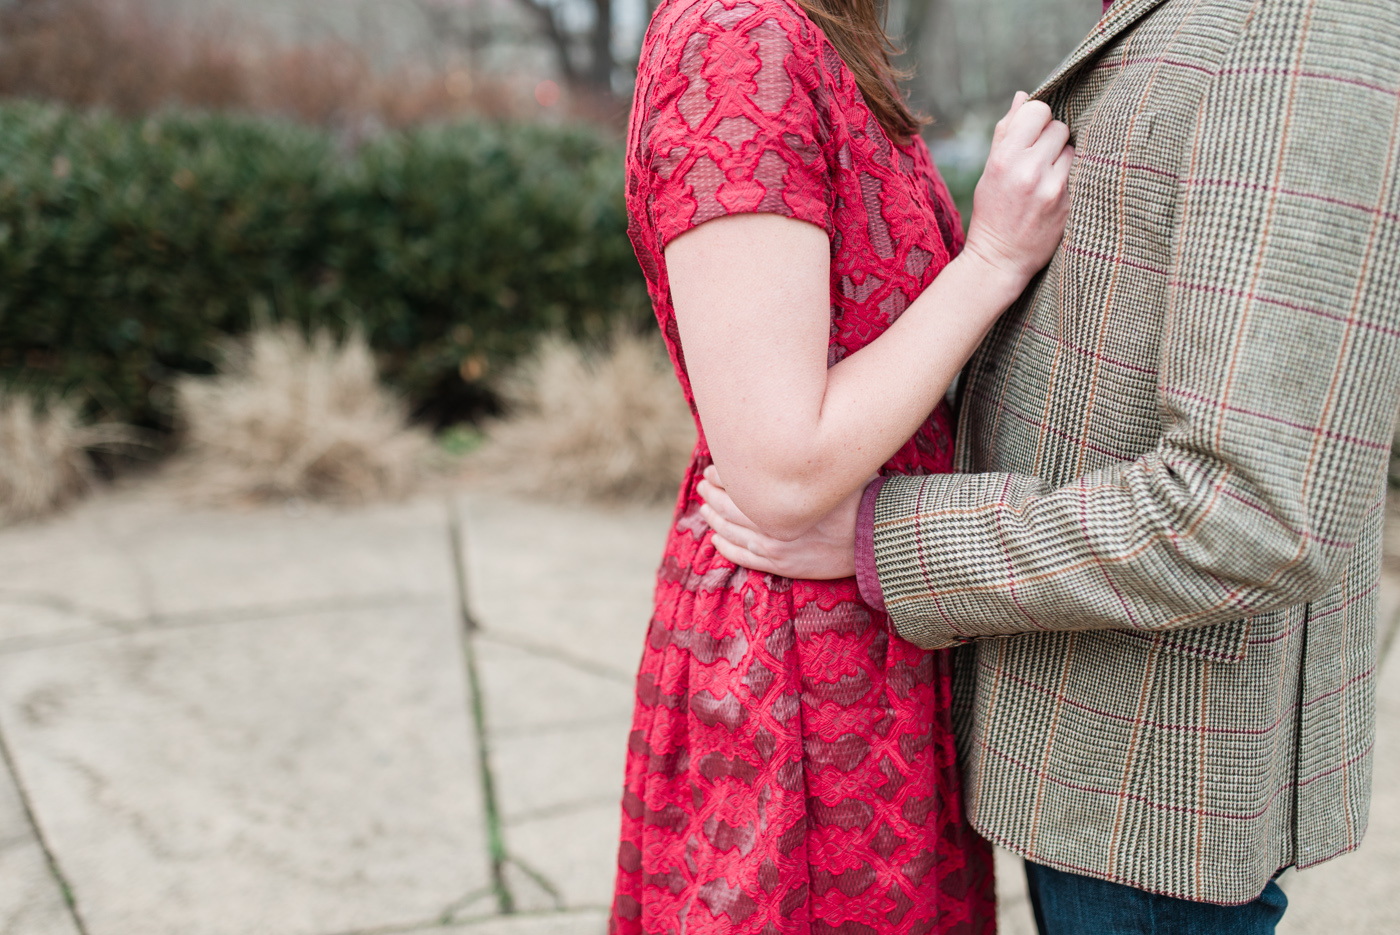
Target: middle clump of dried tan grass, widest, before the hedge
(290, 418)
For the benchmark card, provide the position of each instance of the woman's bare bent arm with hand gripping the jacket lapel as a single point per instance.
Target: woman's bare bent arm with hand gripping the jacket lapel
(752, 295)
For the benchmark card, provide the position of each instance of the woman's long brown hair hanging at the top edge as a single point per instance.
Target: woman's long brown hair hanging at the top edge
(857, 30)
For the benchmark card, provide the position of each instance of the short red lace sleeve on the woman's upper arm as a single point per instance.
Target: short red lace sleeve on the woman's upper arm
(734, 124)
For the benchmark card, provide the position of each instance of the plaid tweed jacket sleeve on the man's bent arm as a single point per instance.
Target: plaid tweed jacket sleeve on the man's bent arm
(1277, 393)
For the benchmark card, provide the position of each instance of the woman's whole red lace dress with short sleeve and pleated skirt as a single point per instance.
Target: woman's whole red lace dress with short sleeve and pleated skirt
(792, 765)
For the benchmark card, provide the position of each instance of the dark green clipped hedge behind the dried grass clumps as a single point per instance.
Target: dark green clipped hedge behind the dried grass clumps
(129, 247)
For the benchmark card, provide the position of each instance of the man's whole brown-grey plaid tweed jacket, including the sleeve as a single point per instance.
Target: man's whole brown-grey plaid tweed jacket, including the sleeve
(1175, 447)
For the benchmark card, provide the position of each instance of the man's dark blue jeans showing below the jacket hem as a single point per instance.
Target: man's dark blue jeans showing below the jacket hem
(1073, 905)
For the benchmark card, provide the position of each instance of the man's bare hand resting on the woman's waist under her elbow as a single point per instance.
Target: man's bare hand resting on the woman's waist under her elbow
(827, 551)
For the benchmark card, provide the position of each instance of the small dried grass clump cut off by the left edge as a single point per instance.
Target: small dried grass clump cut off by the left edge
(44, 456)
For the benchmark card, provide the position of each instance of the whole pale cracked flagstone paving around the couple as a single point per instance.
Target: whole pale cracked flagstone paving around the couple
(405, 719)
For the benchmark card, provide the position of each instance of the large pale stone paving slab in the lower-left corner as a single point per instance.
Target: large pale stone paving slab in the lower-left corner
(323, 762)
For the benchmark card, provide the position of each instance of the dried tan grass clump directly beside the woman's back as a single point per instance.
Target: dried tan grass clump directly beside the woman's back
(608, 426)
